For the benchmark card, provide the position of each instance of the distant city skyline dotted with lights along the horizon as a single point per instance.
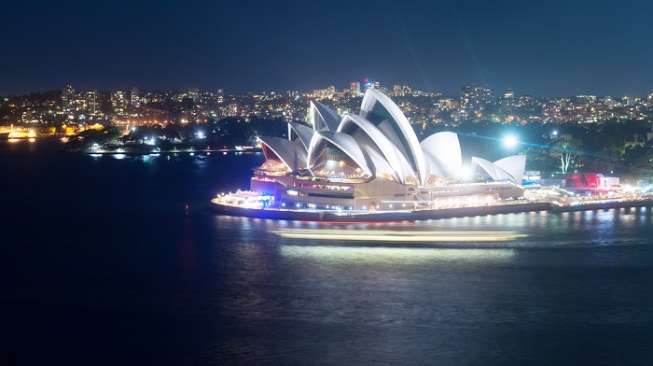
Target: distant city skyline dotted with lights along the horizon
(136, 106)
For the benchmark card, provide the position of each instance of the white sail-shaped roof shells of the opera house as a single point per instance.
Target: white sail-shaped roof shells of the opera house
(382, 144)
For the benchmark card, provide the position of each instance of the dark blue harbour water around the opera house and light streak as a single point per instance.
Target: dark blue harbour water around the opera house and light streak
(108, 261)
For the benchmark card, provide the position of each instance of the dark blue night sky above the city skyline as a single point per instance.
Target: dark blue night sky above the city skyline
(534, 47)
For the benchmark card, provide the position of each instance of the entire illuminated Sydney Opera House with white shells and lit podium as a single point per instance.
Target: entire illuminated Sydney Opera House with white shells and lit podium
(373, 161)
